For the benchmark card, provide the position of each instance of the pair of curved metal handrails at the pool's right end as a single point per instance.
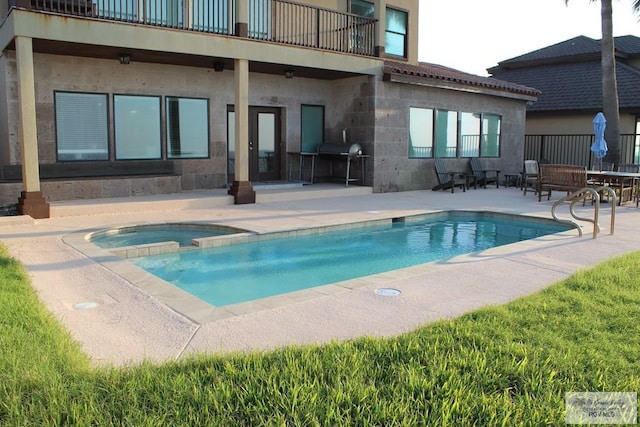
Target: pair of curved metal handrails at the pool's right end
(580, 196)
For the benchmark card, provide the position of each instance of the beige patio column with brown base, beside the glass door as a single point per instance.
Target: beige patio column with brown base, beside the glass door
(241, 189)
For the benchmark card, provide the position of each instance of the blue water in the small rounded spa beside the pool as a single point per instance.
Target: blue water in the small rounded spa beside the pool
(145, 234)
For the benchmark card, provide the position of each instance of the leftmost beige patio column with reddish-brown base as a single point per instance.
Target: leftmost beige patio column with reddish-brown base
(31, 201)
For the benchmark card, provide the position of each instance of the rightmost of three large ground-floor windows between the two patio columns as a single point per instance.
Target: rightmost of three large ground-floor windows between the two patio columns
(187, 128)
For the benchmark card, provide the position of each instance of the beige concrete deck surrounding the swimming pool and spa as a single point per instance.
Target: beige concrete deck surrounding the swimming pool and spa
(132, 319)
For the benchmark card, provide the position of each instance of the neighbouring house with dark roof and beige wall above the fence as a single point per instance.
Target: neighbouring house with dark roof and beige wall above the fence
(569, 77)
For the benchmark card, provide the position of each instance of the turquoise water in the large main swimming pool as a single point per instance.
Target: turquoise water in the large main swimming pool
(248, 271)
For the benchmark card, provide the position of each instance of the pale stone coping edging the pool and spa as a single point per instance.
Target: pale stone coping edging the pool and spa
(202, 312)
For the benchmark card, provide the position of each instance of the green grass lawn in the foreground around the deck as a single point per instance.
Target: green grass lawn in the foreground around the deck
(506, 365)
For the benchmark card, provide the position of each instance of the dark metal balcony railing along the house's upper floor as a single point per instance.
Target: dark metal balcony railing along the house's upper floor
(275, 21)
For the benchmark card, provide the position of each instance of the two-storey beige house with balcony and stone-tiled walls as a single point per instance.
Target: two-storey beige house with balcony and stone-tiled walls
(114, 98)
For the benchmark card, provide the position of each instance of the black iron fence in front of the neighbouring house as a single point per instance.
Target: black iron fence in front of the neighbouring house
(575, 149)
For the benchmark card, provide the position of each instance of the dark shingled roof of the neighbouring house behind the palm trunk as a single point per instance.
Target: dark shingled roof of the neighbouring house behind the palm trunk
(569, 75)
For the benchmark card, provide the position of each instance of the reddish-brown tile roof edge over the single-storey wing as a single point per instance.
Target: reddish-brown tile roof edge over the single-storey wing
(439, 72)
